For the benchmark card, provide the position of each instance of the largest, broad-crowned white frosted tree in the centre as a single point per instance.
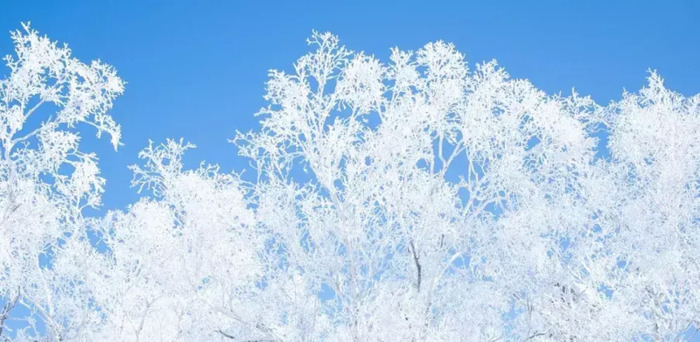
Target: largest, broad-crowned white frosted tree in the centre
(434, 196)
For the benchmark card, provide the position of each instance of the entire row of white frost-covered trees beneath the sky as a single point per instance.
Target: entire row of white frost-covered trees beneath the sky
(408, 200)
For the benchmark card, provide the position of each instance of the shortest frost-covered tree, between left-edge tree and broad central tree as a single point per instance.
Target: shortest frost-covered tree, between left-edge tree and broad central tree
(183, 261)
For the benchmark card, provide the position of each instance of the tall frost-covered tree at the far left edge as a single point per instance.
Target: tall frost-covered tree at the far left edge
(45, 183)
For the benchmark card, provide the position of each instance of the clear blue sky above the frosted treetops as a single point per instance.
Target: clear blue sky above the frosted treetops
(196, 69)
